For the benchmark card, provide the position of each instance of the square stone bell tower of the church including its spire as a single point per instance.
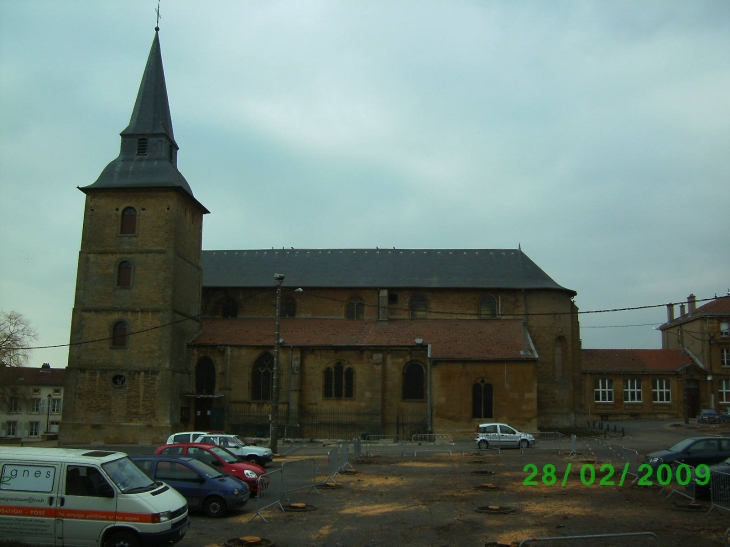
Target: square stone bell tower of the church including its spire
(138, 285)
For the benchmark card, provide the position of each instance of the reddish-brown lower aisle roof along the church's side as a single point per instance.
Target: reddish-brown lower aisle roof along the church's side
(450, 339)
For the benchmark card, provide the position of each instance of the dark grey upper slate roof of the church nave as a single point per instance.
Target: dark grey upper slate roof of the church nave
(377, 268)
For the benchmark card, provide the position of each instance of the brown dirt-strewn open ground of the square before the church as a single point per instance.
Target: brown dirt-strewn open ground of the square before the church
(437, 501)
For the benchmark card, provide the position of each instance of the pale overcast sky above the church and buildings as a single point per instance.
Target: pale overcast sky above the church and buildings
(593, 134)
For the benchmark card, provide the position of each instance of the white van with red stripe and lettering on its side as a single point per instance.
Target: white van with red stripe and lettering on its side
(79, 498)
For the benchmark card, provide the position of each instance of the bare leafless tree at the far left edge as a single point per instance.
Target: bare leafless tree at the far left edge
(16, 336)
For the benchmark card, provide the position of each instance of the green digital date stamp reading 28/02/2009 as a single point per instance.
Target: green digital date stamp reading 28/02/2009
(587, 475)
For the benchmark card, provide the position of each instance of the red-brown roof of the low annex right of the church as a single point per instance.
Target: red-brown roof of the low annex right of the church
(633, 360)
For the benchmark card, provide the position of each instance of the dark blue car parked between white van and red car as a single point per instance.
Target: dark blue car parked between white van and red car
(204, 487)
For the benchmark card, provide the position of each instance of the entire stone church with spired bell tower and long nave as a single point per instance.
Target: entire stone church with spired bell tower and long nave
(335, 343)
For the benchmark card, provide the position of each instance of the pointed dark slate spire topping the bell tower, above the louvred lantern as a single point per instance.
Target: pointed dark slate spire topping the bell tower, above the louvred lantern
(151, 114)
